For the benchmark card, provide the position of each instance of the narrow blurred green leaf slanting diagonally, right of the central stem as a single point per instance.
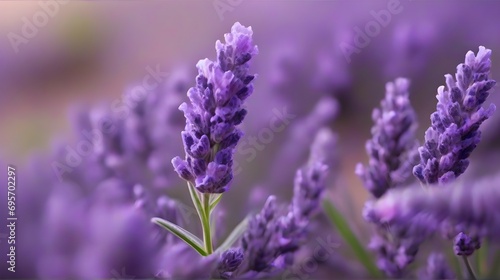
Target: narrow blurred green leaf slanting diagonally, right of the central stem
(350, 238)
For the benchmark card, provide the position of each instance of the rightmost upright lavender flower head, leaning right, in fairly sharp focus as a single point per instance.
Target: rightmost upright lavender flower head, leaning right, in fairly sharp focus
(454, 131)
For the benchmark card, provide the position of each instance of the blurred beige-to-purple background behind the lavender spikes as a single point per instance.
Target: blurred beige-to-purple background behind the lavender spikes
(88, 53)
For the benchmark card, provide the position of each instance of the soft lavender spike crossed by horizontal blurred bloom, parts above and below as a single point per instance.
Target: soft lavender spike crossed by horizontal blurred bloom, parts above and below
(392, 152)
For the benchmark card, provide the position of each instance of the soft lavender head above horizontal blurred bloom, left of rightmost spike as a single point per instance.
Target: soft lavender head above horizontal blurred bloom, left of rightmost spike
(392, 150)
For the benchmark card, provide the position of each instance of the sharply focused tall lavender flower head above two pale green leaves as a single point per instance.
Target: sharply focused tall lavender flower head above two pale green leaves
(214, 111)
